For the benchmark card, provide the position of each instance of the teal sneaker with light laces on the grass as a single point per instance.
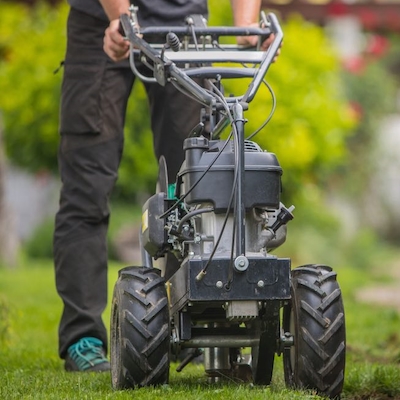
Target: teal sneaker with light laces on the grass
(87, 355)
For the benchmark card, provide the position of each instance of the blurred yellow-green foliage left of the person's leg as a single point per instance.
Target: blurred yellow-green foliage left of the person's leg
(32, 43)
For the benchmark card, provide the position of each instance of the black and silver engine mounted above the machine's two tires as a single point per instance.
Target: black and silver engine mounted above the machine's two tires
(198, 219)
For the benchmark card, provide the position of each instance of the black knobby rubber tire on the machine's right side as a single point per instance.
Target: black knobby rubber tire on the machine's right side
(315, 318)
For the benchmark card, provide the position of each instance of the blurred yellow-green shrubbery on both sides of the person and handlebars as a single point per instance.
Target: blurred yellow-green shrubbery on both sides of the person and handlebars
(307, 132)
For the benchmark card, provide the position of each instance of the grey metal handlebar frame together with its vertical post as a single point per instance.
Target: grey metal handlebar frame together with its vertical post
(165, 69)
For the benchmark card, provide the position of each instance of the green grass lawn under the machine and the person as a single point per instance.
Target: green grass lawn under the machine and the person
(30, 368)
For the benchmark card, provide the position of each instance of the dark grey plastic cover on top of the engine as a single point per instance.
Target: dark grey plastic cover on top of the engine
(262, 186)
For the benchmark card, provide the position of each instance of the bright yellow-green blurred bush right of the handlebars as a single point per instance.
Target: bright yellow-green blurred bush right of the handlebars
(313, 118)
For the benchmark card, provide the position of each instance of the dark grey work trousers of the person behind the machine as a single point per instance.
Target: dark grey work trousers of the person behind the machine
(95, 92)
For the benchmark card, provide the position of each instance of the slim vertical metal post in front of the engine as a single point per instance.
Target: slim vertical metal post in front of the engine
(240, 210)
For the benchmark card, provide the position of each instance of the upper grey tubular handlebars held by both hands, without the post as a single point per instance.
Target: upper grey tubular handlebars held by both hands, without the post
(202, 58)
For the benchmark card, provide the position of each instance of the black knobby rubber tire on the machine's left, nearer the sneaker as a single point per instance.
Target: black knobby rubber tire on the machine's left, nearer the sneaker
(140, 333)
